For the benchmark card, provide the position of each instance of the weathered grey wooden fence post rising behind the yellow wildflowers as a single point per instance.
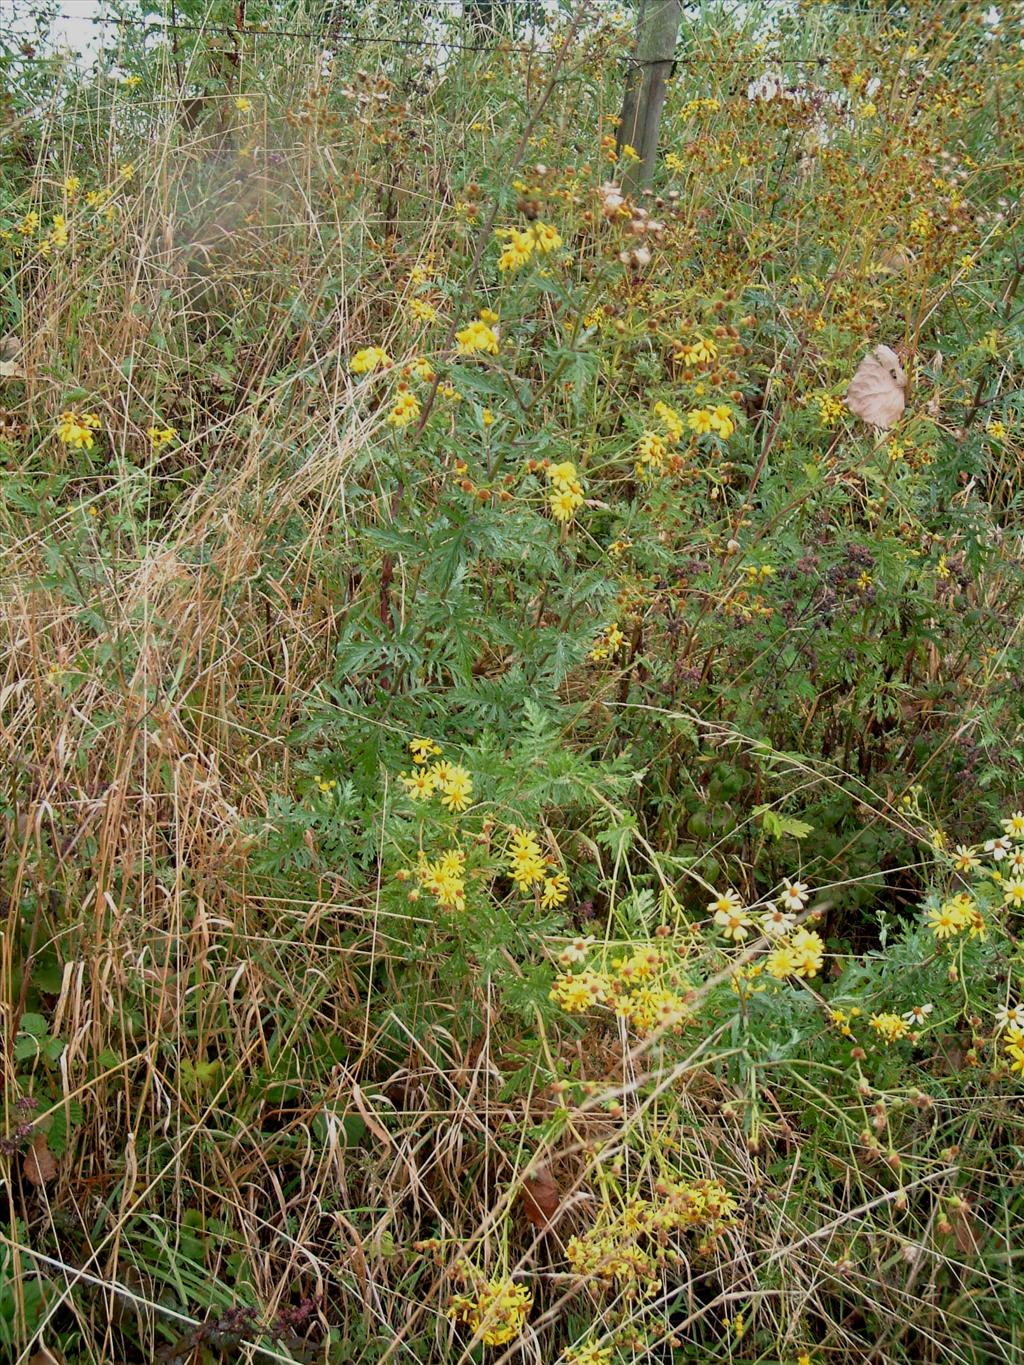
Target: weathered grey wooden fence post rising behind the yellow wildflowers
(646, 87)
